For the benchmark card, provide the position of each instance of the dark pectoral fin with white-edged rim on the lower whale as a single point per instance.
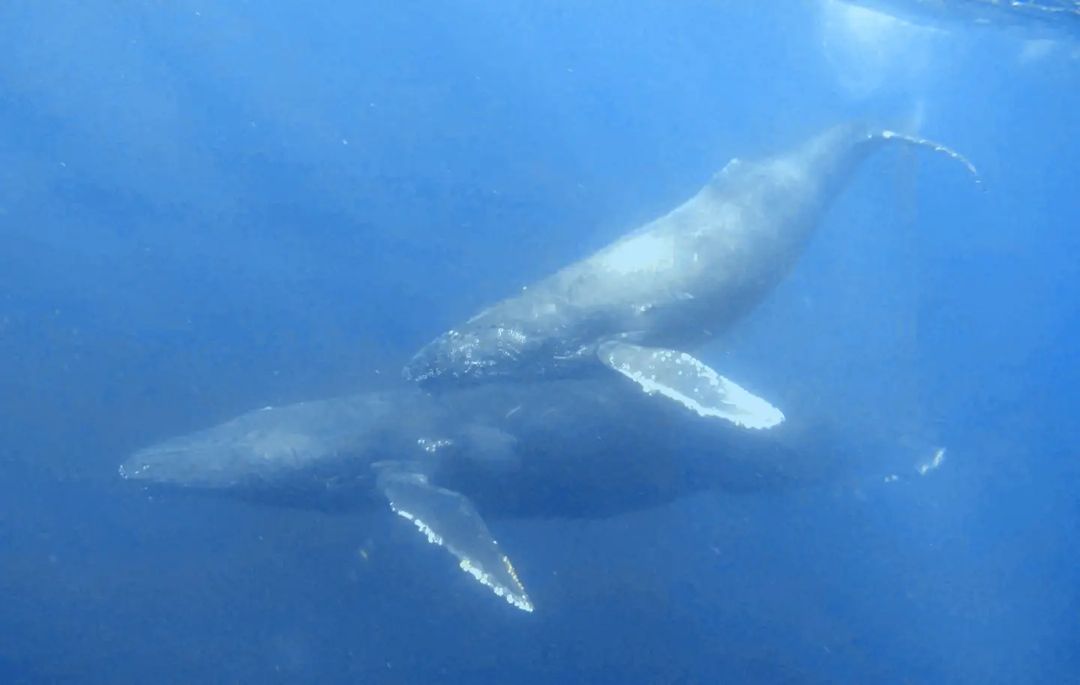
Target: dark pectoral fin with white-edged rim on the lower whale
(450, 520)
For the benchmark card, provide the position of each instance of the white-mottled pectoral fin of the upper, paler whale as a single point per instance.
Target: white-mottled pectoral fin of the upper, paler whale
(692, 383)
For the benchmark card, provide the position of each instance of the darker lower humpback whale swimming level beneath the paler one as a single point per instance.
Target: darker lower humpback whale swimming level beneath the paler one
(570, 448)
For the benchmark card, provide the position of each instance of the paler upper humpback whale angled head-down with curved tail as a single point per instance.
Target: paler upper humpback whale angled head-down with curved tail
(668, 287)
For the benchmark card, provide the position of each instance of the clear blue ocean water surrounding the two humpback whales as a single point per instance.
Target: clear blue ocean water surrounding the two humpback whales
(208, 208)
